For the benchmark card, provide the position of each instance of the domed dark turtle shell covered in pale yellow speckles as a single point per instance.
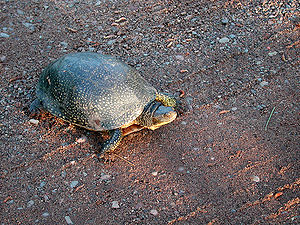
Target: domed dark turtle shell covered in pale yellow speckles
(95, 91)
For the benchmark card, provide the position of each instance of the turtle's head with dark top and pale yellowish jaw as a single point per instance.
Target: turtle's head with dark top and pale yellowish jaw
(156, 115)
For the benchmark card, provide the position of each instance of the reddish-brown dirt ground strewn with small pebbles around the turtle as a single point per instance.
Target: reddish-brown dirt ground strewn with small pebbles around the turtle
(232, 158)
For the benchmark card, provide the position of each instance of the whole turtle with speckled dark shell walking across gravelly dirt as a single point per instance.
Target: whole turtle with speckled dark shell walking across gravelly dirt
(101, 93)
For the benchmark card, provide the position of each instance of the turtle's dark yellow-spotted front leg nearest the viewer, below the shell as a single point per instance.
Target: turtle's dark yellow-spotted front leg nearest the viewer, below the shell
(112, 143)
